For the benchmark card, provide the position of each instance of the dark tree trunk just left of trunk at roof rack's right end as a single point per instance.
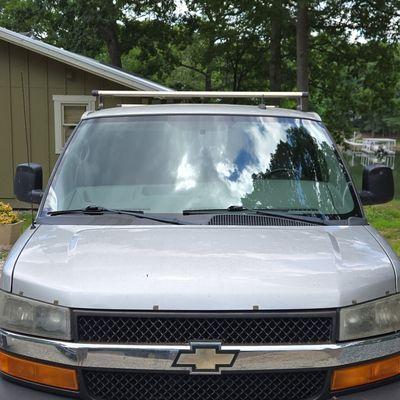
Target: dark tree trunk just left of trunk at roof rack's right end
(275, 63)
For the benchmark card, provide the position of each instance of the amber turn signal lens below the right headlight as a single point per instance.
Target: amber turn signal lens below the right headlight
(366, 373)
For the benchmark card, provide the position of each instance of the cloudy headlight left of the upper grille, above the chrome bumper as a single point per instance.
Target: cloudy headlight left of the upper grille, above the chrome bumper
(32, 317)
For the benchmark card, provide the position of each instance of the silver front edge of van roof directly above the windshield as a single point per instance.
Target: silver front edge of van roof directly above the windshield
(225, 109)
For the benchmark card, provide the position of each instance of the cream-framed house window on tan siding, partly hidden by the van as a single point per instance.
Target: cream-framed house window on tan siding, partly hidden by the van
(67, 114)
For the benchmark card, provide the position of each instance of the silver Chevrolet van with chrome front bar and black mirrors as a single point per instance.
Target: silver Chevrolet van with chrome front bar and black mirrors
(200, 252)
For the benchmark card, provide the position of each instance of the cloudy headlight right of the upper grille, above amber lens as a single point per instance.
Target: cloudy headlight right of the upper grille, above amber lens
(370, 319)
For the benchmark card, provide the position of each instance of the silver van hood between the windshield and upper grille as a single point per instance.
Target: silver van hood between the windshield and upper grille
(203, 267)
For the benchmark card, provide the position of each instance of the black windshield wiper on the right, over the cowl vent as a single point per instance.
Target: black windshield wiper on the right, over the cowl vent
(311, 220)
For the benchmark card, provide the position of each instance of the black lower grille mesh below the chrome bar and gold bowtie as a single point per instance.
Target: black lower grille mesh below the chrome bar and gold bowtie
(265, 386)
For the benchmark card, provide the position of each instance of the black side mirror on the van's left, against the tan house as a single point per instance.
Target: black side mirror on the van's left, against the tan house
(28, 183)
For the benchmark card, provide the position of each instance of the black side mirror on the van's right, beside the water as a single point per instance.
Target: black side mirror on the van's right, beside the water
(378, 185)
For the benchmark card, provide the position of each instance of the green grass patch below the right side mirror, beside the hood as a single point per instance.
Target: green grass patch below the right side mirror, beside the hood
(386, 219)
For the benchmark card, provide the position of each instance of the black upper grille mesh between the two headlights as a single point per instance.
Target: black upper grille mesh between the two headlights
(183, 329)
